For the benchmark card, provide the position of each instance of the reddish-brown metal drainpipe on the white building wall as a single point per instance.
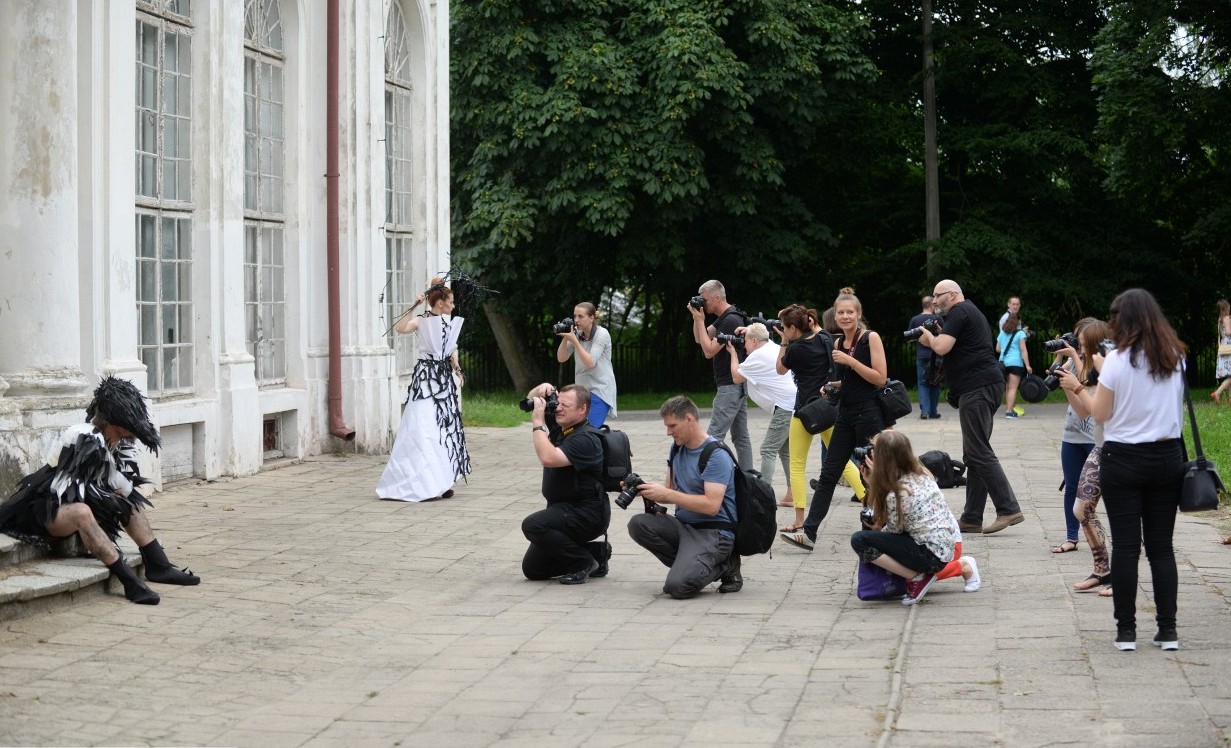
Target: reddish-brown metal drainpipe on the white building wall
(338, 428)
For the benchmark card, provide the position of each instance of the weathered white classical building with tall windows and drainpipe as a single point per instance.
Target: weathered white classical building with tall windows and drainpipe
(167, 217)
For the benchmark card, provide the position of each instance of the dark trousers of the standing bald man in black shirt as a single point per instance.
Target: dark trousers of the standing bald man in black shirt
(985, 475)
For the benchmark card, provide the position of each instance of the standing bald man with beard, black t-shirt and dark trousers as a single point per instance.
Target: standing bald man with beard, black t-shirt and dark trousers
(971, 368)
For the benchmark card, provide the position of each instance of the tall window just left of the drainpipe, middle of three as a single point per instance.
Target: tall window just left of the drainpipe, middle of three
(264, 174)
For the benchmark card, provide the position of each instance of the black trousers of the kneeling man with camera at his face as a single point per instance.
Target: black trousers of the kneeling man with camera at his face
(559, 541)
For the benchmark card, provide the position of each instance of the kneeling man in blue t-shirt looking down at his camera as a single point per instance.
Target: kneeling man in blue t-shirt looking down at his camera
(699, 542)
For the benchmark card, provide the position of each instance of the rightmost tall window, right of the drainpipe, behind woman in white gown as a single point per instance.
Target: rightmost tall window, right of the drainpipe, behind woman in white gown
(399, 229)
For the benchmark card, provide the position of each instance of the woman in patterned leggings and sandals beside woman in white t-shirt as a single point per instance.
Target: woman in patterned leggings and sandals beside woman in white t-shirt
(1086, 488)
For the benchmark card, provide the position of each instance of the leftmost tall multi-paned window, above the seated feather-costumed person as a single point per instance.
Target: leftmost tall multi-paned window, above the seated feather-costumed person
(164, 195)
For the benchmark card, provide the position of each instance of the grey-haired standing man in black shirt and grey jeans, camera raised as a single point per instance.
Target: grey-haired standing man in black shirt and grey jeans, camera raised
(731, 412)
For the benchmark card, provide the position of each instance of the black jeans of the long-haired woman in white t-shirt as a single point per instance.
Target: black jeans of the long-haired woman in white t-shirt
(1142, 494)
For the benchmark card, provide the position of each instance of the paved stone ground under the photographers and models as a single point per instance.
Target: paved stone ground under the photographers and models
(329, 618)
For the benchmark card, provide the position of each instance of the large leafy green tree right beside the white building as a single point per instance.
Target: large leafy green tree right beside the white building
(642, 146)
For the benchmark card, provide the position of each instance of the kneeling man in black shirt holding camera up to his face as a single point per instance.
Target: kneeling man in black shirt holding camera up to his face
(572, 455)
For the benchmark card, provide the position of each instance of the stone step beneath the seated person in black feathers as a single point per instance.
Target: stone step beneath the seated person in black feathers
(41, 581)
